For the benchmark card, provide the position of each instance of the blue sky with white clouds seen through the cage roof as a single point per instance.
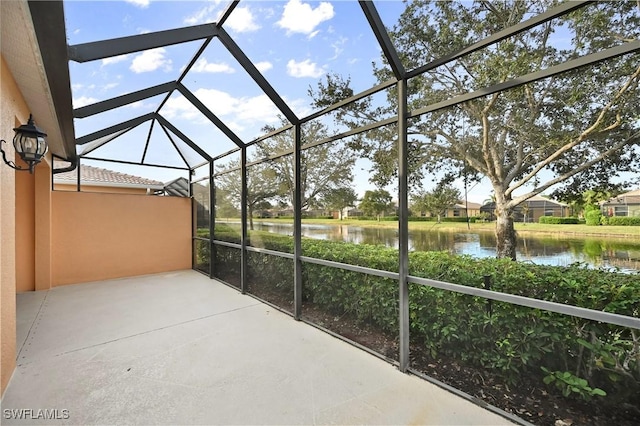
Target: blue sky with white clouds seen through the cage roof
(294, 44)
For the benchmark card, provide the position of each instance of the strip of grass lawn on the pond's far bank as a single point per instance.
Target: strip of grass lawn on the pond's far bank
(631, 232)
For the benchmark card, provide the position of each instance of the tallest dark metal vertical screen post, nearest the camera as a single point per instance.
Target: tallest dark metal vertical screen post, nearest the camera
(403, 226)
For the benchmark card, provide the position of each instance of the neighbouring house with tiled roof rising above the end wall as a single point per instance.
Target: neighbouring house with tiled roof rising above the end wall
(96, 179)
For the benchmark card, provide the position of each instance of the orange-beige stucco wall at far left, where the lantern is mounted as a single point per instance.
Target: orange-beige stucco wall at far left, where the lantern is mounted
(12, 109)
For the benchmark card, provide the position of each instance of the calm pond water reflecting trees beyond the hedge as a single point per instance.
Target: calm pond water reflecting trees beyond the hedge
(549, 250)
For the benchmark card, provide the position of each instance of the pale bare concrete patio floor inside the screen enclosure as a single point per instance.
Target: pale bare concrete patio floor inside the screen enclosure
(179, 348)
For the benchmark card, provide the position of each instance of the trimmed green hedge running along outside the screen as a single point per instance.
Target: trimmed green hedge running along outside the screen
(514, 341)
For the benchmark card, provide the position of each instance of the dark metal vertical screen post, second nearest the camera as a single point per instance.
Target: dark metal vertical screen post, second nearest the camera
(297, 225)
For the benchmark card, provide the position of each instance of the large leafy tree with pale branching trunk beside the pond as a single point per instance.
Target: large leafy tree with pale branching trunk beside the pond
(571, 132)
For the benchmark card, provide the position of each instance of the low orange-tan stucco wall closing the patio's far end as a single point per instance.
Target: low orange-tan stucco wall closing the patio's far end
(100, 236)
